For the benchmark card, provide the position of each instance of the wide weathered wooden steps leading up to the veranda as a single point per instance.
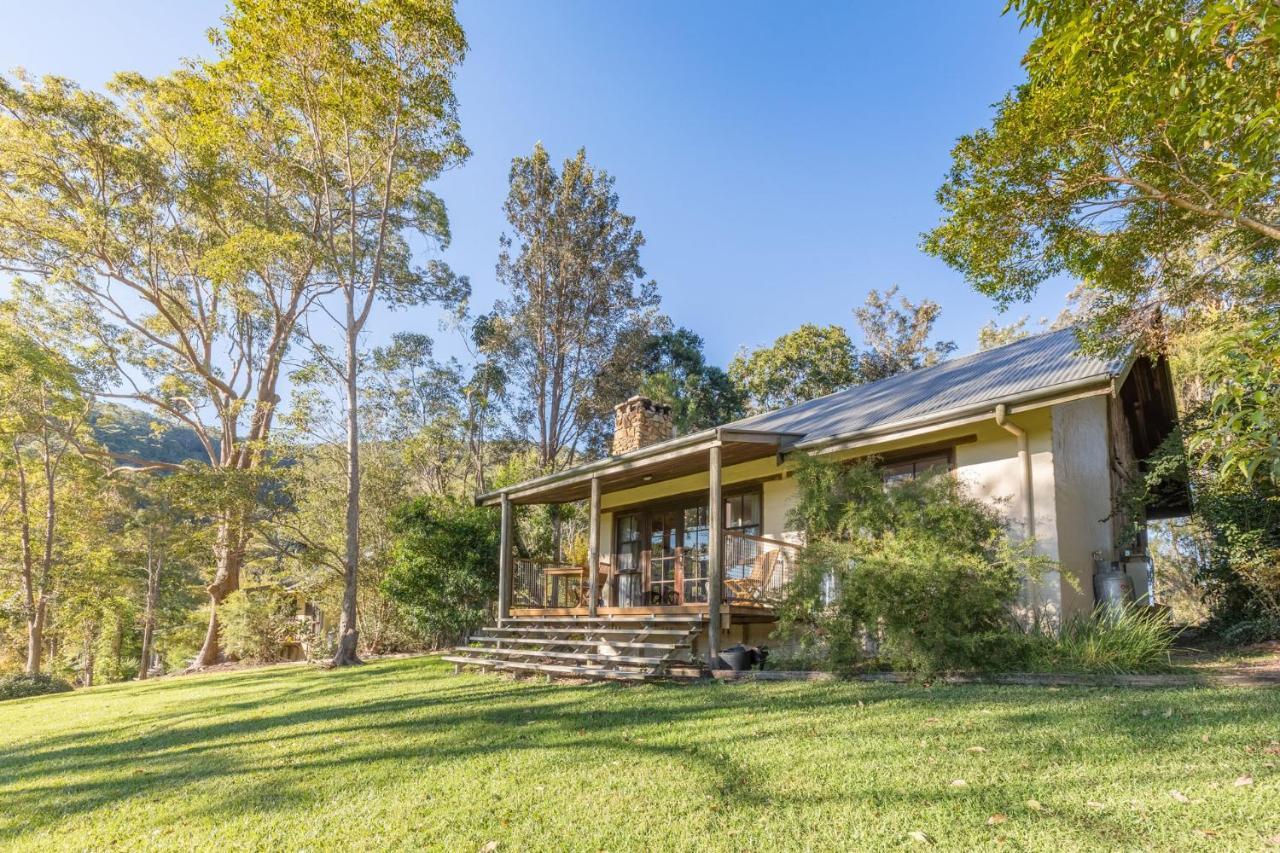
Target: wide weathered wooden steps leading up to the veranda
(630, 649)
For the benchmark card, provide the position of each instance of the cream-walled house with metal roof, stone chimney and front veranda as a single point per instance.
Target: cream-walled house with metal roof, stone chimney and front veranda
(691, 537)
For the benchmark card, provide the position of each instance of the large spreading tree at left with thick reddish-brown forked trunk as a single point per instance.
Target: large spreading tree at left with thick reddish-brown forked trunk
(164, 253)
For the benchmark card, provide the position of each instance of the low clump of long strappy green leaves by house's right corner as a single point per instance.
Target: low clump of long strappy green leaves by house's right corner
(1135, 640)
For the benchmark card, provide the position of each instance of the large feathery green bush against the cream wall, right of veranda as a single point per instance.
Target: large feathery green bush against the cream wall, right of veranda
(918, 567)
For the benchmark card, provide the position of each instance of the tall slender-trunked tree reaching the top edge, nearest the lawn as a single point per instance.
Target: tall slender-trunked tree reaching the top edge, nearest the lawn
(355, 117)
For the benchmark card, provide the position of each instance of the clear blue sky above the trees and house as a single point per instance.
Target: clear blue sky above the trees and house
(781, 159)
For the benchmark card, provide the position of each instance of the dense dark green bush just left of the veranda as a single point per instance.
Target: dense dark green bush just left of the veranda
(445, 567)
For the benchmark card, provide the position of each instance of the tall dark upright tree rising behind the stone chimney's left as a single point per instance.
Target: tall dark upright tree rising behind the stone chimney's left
(577, 297)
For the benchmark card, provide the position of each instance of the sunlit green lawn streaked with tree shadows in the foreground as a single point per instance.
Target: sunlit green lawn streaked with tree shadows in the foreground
(406, 755)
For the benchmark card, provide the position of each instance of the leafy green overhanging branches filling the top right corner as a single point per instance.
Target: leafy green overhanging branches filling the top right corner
(1140, 157)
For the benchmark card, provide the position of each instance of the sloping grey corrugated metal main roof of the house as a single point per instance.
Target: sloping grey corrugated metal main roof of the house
(1025, 367)
